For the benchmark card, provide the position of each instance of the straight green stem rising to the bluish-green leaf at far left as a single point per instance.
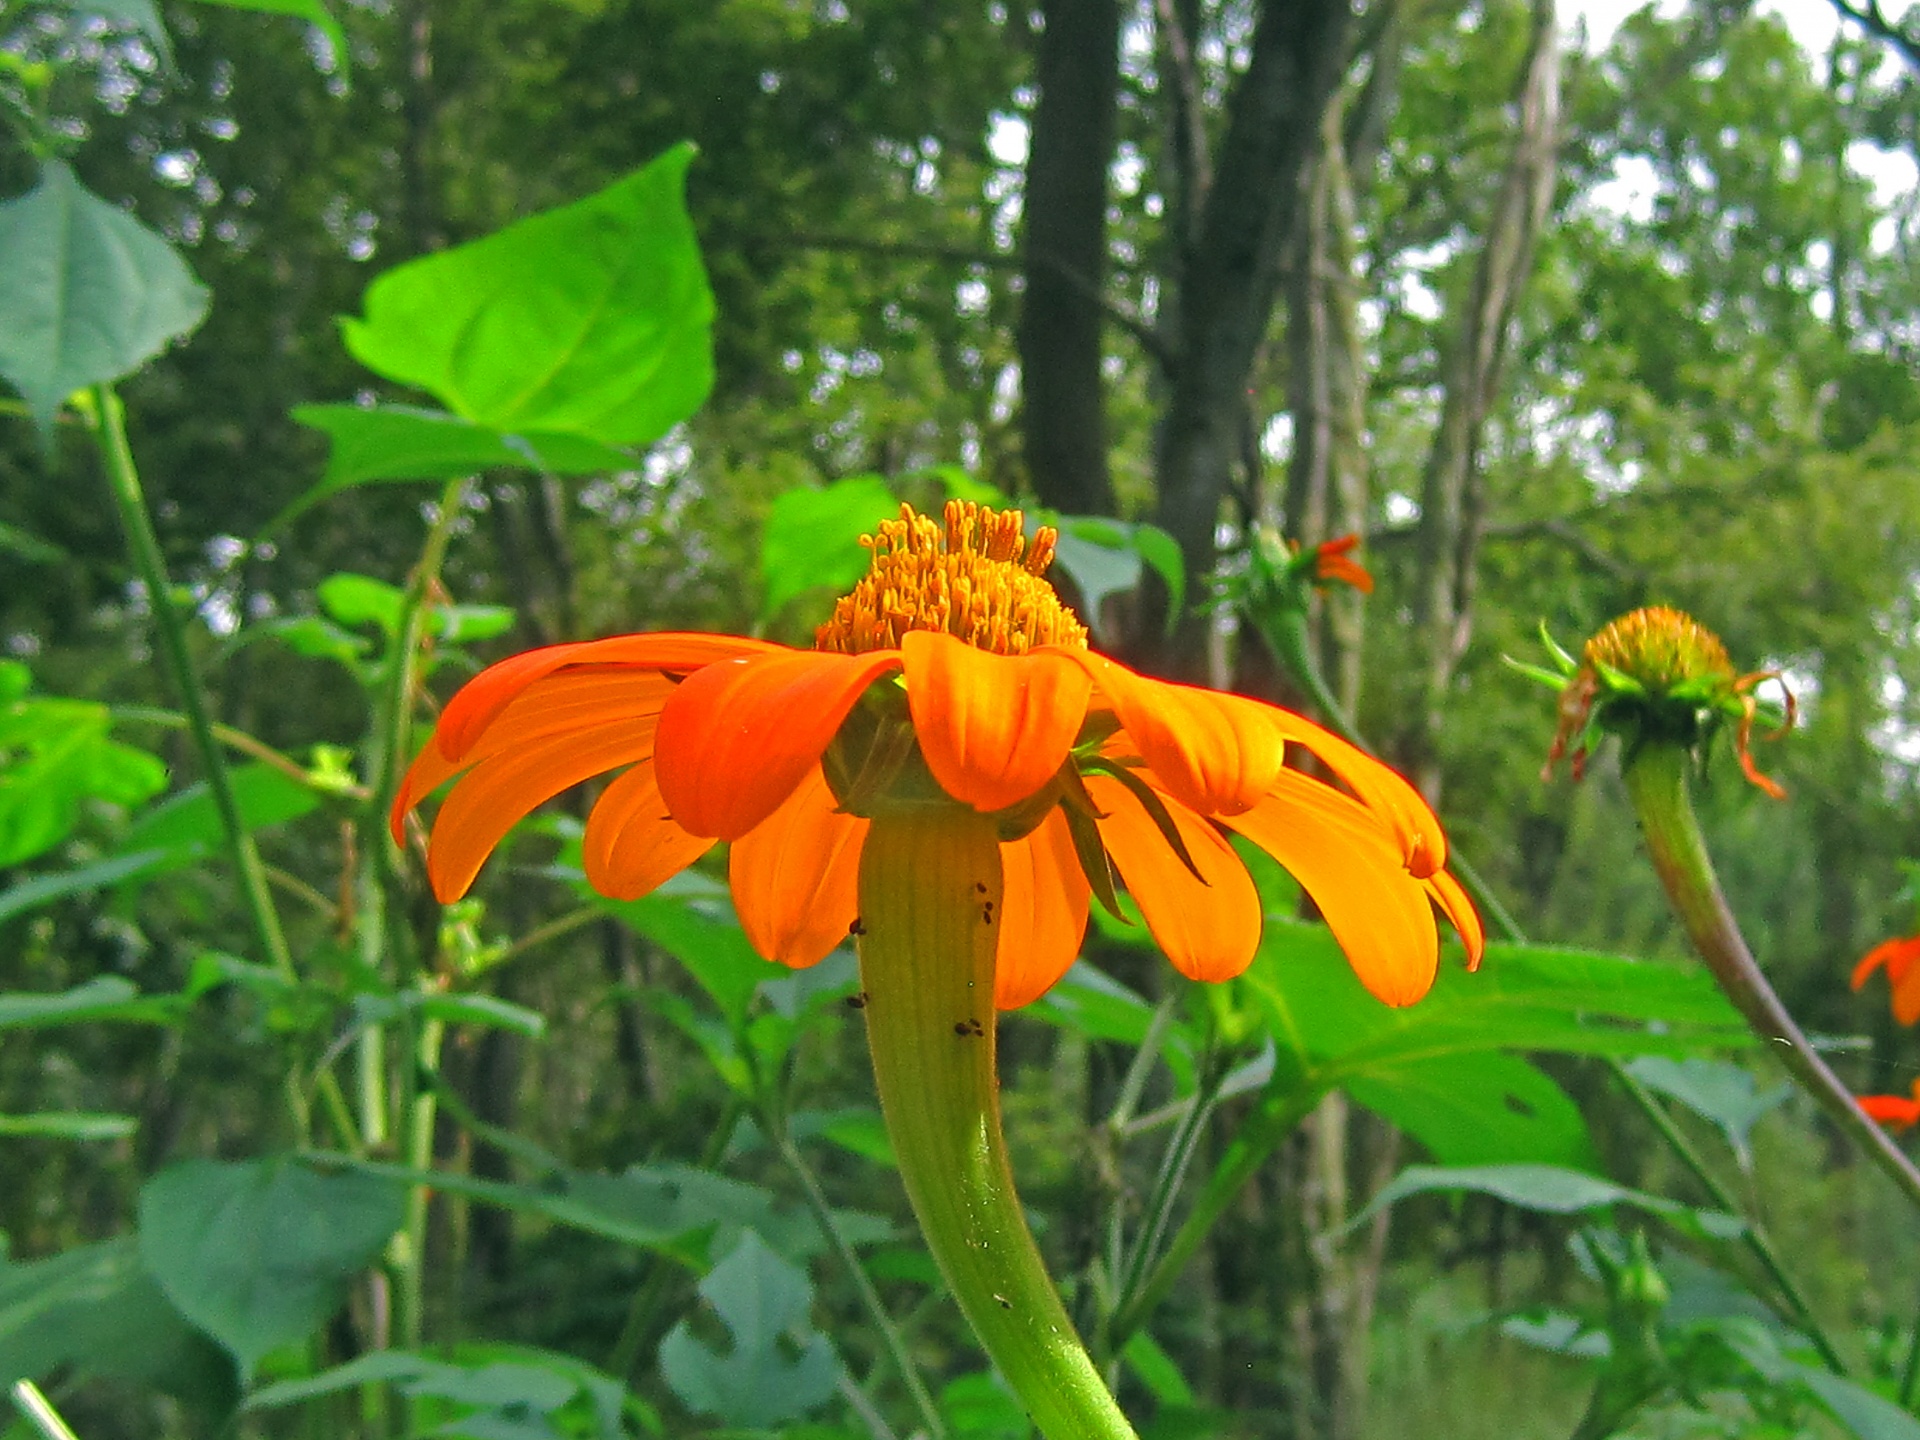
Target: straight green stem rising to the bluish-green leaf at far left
(124, 479)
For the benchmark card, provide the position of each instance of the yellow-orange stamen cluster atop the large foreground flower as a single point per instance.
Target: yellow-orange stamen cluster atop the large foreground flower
(976, 579)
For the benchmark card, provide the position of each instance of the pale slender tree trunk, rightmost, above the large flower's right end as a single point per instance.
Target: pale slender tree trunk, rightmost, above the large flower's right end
(1451, 496)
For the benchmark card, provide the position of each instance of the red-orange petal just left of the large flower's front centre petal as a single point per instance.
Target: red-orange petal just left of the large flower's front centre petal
(742, 734)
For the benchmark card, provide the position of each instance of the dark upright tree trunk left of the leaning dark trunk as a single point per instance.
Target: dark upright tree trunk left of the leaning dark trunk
(1072, 145)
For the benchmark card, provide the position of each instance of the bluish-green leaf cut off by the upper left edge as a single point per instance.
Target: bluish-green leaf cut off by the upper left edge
(89, 293)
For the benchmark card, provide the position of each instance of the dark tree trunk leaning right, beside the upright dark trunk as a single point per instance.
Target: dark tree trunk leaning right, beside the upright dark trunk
(1232, 274)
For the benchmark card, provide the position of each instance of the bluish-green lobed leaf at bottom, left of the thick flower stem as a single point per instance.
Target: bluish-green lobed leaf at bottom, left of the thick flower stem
(763, 1303)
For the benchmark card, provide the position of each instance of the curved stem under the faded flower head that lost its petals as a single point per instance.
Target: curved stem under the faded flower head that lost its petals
(1656, 779)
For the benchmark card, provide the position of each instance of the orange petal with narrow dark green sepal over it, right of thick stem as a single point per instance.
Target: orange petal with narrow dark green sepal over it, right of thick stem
(1209, 928)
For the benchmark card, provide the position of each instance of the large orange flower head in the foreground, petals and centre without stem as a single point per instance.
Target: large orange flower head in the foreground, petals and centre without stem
(949, 675)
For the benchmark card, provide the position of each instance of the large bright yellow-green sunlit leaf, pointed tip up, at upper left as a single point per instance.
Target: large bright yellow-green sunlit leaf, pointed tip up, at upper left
(592, 320)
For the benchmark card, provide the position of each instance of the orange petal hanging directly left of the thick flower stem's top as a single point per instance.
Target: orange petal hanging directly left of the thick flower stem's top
(798, 876)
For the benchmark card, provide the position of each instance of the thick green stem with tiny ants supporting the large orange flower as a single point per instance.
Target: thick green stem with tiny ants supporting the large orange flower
(930, 890)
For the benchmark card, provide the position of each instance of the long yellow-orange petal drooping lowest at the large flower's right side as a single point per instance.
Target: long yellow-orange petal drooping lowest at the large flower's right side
(1351, 865)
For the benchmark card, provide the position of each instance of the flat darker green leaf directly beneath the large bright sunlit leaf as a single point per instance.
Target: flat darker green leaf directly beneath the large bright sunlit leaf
(406, 443)
